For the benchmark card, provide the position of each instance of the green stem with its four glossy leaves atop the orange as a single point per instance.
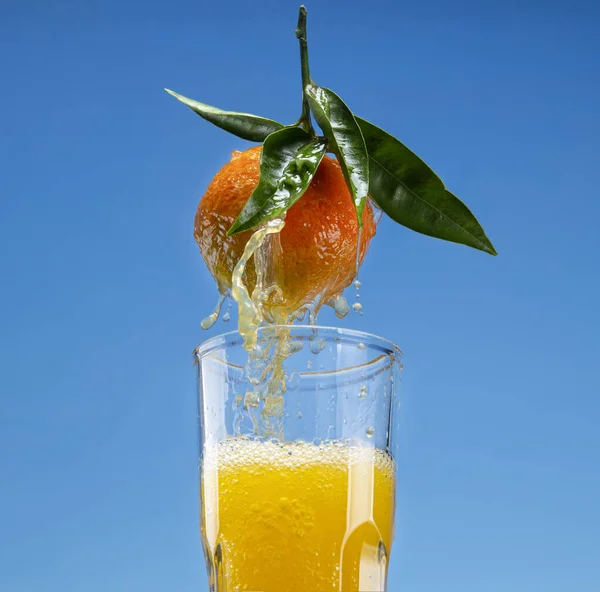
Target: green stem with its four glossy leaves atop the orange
(374, 164)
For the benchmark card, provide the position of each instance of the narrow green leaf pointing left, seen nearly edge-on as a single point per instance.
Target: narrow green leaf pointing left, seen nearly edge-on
(243, 125)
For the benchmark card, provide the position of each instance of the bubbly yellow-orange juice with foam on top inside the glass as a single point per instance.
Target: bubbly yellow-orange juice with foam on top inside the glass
(296, 517)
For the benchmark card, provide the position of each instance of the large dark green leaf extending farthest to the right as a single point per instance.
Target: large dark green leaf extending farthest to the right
(410, 193)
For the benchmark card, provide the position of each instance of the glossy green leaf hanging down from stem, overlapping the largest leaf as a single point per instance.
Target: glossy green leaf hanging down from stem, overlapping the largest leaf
(345, 137)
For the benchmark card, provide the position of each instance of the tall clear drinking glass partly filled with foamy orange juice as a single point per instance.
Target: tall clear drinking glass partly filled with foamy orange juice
(297, 488)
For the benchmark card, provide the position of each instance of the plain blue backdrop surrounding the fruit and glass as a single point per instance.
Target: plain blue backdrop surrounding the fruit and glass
(103, 289)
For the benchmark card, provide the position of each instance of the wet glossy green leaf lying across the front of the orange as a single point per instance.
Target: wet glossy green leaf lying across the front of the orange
(289, 160)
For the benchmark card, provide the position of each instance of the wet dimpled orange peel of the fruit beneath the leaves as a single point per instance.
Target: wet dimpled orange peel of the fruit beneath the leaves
(315, 253)
